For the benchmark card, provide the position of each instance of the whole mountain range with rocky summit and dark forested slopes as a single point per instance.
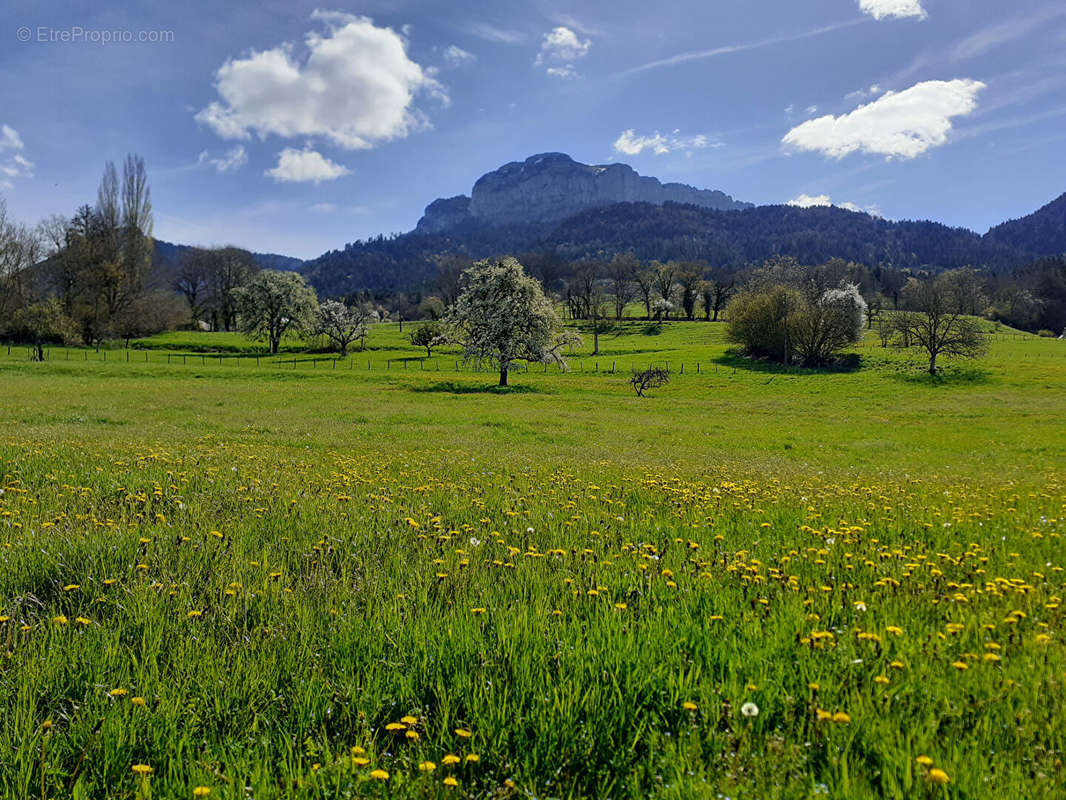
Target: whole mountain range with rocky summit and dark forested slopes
(555, 206)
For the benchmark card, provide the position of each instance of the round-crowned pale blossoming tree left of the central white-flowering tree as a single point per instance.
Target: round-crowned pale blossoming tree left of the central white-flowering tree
(276, 303)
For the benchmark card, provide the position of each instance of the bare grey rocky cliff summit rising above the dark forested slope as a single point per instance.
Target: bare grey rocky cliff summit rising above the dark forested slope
(553, 187)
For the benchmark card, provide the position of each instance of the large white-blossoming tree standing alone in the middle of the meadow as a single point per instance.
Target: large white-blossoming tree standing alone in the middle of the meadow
(504, 315)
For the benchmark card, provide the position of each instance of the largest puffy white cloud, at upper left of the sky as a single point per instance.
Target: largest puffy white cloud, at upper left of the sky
(357, 87)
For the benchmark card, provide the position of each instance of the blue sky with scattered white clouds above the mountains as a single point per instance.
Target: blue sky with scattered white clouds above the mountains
(293, 127)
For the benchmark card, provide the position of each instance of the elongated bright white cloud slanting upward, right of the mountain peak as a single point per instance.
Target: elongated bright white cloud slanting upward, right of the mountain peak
(898, 125)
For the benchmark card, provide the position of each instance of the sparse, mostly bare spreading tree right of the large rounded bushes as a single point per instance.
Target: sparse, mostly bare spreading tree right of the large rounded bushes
(938, 324)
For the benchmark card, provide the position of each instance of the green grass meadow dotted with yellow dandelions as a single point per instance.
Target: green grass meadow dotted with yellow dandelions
(329, 582)
